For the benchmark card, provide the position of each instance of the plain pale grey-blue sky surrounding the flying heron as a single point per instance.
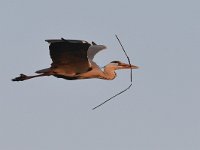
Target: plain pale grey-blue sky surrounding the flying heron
(160, 111)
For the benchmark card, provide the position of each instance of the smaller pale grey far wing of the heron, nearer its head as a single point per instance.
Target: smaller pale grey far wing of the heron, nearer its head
(94, 49)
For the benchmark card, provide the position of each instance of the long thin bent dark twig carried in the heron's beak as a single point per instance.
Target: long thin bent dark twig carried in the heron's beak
(130, 77)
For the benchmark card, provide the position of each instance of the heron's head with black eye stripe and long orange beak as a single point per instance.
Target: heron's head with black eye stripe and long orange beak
(120, 65)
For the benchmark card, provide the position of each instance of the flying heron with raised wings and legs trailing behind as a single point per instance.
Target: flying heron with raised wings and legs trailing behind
(73, 59)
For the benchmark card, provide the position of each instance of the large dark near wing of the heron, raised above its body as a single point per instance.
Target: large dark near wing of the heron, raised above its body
(70, 55)
